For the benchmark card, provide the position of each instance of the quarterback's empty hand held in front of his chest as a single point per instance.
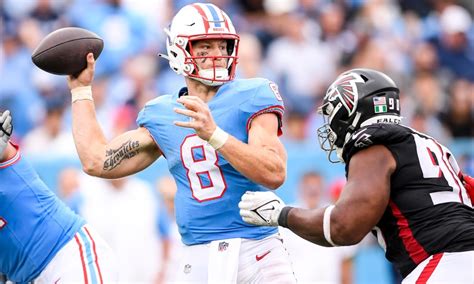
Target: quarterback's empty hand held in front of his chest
(200, 117)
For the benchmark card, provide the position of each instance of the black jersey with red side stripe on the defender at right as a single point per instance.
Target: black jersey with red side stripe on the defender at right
(429, 210)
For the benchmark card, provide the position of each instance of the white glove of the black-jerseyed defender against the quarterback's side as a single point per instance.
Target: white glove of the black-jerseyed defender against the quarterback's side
(261, 208)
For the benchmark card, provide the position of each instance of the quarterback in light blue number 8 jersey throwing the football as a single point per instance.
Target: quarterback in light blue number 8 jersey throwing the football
(219, 137)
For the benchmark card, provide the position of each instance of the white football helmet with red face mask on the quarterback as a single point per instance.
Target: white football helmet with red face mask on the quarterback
(195, 22)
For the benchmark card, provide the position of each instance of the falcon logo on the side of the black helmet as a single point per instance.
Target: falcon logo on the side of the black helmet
(345, 89)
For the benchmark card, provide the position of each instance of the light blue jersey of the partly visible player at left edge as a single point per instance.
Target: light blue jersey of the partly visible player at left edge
(34, 223)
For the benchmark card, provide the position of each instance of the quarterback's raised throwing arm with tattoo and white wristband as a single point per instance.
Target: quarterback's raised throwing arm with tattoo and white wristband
(127, 154)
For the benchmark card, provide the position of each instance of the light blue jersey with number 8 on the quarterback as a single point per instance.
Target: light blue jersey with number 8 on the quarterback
(209, 188)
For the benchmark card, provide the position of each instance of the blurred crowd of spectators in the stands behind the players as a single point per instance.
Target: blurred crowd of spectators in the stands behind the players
(426, 46)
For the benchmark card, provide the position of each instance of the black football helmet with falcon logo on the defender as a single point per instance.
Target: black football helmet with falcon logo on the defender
(356, 98)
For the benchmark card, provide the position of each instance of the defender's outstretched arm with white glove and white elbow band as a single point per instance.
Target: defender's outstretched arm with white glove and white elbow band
(361, 205)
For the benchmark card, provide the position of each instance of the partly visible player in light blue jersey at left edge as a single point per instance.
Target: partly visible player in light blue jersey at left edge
(41, 239)
